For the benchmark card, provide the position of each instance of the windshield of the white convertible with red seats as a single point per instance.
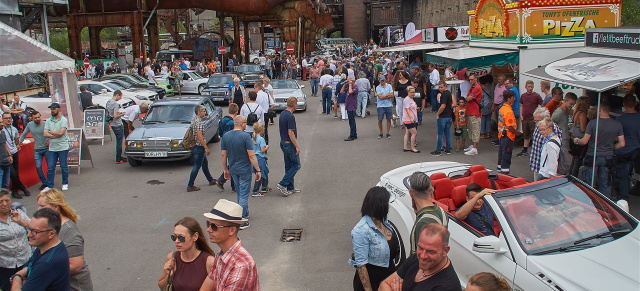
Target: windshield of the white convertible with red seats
(565, 216)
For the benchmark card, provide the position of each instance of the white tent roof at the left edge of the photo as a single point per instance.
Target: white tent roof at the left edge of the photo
(20, 54)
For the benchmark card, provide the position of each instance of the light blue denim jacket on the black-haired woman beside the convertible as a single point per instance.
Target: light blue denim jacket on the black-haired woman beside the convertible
(369, 244)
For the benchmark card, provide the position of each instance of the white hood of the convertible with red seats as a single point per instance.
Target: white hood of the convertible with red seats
(598, 268)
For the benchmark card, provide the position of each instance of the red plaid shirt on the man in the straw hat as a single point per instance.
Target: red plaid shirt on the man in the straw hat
(235, 270)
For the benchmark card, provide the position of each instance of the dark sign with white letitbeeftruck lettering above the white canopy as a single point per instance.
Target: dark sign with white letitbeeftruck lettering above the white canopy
(614, 39)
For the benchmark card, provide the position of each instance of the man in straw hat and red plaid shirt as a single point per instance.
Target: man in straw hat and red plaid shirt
(234, 268)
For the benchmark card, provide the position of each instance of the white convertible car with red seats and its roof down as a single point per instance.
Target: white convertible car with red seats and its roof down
(557, 234)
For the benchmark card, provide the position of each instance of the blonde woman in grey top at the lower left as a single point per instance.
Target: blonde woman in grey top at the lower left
(71, 237)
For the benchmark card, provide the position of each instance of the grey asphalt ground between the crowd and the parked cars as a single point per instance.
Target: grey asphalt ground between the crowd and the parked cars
(127, 214)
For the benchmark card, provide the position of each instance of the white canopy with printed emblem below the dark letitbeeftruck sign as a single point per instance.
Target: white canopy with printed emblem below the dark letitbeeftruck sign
(594, 69)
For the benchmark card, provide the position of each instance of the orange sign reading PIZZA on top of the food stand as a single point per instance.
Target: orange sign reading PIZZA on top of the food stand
(568, 23)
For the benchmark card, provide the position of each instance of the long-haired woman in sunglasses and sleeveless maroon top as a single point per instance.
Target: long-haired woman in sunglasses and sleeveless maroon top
(192, 259)
